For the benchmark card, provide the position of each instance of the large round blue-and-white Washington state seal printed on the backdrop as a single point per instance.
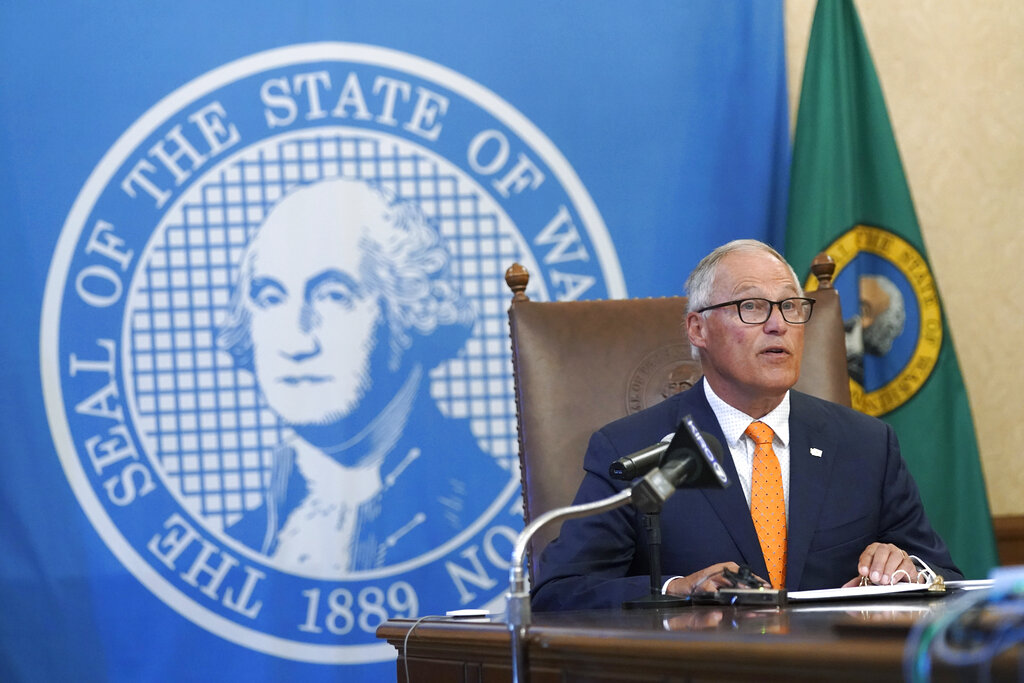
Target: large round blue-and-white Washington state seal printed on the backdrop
(275, 349)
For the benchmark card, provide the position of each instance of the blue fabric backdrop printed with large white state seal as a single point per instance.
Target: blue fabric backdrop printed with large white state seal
(143, 149)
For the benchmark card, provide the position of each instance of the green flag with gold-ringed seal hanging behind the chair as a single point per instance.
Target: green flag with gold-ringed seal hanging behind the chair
(848, 196)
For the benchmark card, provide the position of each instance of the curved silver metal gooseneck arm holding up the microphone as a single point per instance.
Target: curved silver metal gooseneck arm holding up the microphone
(518, 600)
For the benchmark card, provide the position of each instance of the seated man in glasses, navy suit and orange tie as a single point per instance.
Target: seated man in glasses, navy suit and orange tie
(824, 501)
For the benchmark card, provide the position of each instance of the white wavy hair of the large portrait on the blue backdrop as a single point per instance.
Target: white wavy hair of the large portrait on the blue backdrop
(406, 263)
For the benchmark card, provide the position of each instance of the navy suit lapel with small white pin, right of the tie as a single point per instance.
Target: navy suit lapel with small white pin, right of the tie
(813, 453)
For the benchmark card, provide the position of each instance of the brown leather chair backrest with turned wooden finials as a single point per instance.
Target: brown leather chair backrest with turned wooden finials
(580, 365)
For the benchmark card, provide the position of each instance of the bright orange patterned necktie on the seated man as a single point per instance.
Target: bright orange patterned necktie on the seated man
(769, 503)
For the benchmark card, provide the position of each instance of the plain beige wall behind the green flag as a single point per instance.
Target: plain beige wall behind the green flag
(953, 72)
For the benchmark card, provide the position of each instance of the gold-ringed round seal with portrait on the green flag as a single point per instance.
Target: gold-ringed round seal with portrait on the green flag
(892, 315)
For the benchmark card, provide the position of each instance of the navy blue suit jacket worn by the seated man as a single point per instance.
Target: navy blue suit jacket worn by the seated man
(858, 492)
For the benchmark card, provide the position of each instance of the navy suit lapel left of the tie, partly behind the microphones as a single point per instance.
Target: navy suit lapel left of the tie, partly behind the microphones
(730, 504)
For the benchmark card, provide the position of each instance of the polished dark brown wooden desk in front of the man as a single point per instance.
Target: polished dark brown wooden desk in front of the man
(850, 643)
